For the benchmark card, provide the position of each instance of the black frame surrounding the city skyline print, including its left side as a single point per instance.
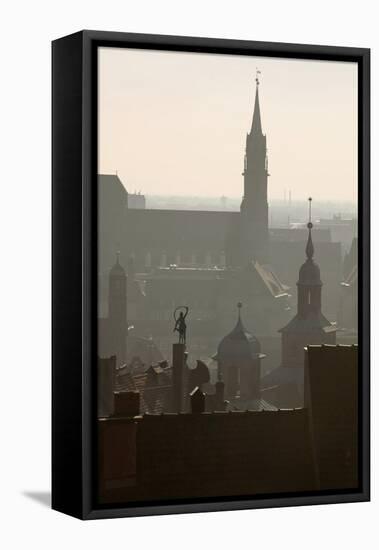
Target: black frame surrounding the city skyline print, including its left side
(74, 295)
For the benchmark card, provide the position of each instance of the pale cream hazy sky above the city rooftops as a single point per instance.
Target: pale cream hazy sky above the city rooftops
(176, 123)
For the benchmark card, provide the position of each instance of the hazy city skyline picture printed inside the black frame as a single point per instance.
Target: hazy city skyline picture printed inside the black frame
(227, 276)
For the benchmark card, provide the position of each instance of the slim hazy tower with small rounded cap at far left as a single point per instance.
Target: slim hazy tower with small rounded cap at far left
(117, 313)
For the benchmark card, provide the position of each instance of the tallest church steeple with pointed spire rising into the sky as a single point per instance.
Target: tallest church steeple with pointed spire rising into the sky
(254, 206)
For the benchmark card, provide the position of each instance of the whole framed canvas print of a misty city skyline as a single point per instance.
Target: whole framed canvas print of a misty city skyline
(210, 274)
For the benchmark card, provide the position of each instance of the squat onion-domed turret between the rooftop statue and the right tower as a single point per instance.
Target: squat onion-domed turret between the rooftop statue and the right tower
(239, 362)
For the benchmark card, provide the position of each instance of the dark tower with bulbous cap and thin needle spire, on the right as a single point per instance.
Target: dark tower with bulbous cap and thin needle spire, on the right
(309, 326)
